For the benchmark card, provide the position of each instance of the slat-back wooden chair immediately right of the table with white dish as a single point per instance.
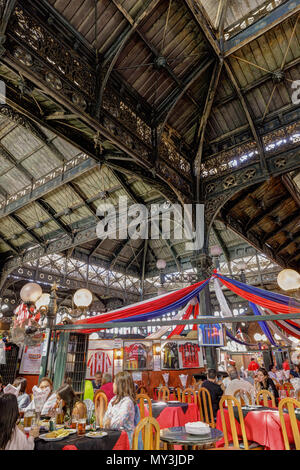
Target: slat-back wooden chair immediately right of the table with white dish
(231, 401)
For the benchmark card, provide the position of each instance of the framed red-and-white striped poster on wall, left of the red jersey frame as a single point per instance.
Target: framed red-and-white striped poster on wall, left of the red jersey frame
(100, 358)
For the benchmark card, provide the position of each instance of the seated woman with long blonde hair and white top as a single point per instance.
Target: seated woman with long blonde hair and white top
(120, 413)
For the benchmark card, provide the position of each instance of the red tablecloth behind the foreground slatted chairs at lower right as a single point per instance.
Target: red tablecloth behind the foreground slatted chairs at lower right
(262, 427)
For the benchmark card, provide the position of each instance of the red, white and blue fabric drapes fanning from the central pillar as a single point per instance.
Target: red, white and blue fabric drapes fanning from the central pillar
(271, 302)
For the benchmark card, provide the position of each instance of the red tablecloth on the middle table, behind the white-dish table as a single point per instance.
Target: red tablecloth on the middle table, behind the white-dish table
(172, 417)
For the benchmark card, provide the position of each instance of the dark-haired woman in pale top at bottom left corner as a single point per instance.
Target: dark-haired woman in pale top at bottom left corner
(11, 436)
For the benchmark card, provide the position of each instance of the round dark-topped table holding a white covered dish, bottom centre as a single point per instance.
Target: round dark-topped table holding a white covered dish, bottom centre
(177, 436)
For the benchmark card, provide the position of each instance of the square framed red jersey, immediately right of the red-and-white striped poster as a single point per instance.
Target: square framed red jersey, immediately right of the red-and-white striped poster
(138, 355)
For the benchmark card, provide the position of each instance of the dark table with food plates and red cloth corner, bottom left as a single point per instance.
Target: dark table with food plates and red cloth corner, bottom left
(113, 440)
